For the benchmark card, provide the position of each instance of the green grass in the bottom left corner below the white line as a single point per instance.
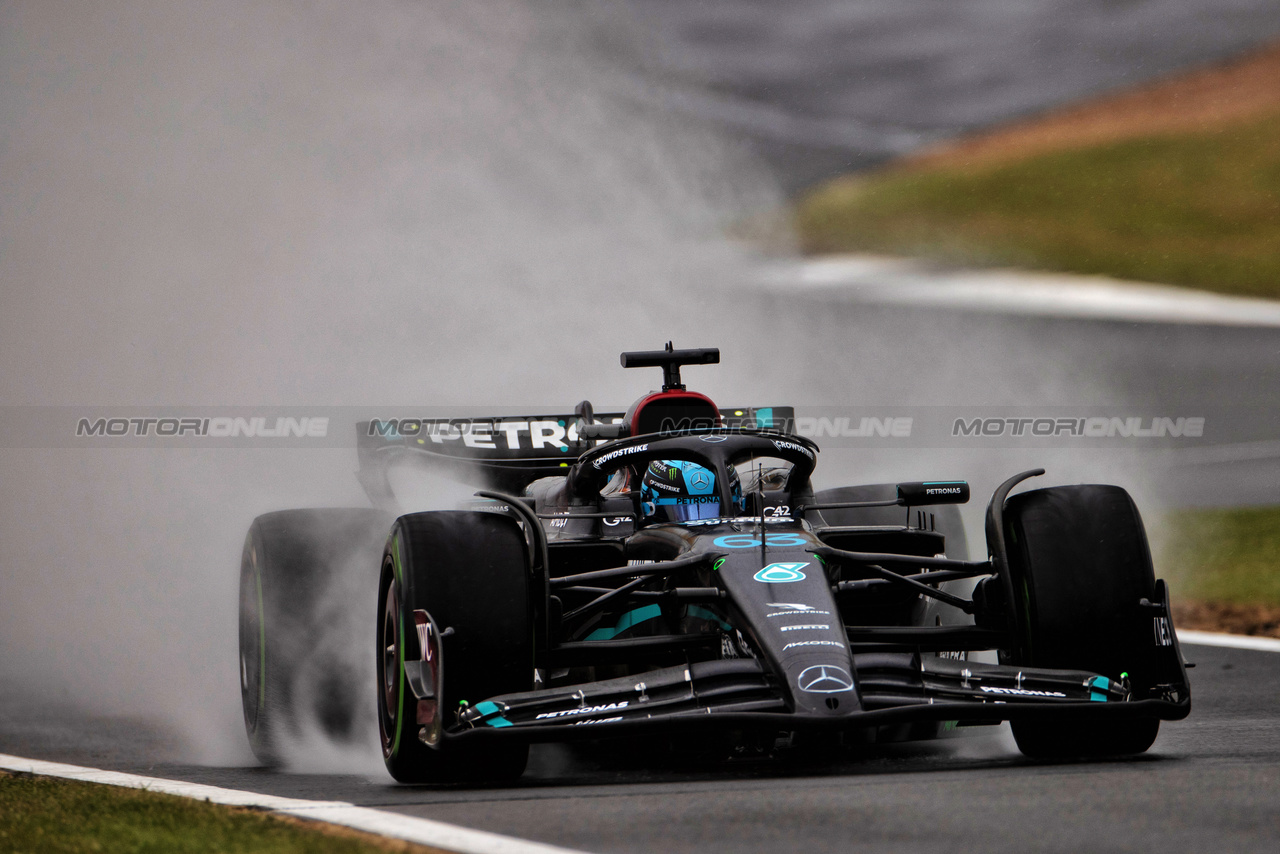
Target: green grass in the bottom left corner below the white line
(44, 815)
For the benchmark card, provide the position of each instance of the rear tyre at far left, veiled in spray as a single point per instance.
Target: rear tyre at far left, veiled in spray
(299, 570)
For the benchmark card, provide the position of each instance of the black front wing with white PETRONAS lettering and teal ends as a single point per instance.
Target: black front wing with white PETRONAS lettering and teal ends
(893, 688)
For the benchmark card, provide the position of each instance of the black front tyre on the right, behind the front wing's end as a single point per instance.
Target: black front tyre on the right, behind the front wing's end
(1081, 565)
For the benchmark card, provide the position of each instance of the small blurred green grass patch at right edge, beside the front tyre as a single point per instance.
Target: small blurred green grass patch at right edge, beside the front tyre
(1224, 555)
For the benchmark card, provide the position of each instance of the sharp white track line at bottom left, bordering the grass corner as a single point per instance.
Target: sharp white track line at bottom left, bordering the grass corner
(424, 832)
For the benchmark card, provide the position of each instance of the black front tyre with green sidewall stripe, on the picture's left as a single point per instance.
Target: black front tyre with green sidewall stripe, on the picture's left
(470, 573)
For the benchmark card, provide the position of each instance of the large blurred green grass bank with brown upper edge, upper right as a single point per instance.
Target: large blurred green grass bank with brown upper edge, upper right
(1200, 211)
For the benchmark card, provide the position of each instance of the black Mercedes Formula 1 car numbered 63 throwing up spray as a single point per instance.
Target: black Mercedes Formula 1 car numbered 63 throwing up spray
(671, 572)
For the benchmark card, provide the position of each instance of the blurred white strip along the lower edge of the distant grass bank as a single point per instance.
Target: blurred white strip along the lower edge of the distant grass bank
(879, 280)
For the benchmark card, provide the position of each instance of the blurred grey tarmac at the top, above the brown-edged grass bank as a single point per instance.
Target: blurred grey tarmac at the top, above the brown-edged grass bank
(824, 86)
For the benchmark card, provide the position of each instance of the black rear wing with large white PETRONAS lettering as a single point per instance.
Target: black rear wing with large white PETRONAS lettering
(505, 454)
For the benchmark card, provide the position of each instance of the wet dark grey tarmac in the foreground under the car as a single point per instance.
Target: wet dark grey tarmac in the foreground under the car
(1212, 783)
